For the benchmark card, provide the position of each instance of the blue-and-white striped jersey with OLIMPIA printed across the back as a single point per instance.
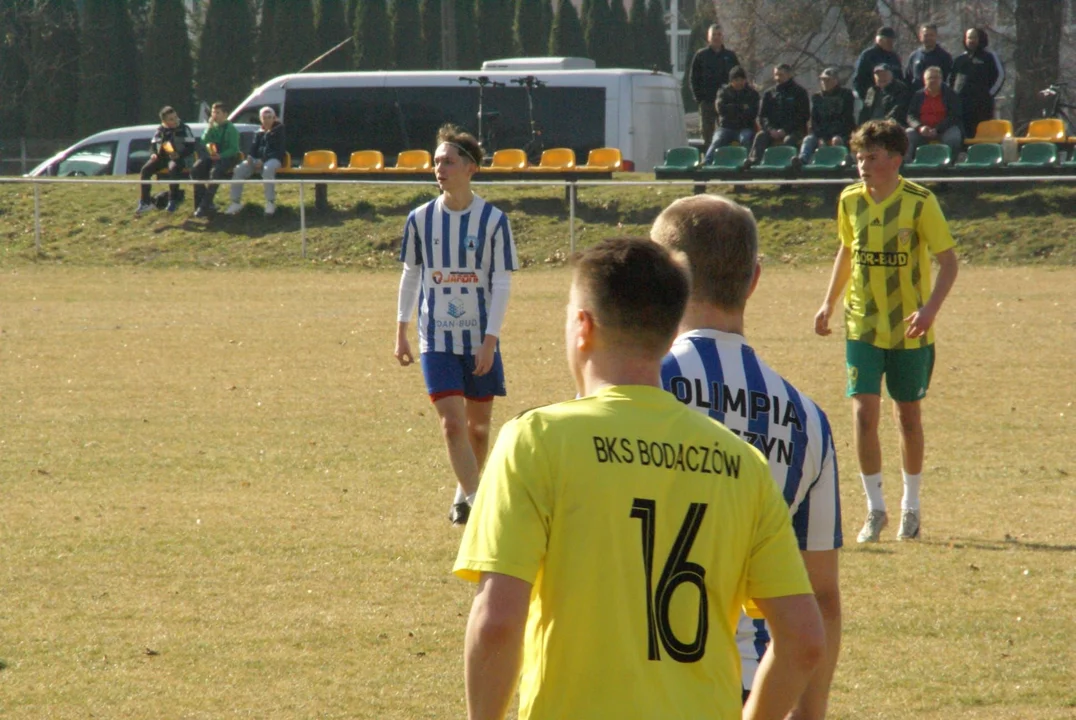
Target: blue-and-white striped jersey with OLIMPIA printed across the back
(719, 374)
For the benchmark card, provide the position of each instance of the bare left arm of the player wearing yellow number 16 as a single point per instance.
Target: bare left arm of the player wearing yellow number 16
(493, 648)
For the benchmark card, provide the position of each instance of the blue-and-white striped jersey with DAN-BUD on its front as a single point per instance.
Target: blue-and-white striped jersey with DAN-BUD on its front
(459, 252)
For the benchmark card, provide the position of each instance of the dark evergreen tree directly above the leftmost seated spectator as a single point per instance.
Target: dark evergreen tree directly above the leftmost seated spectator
(167, 67)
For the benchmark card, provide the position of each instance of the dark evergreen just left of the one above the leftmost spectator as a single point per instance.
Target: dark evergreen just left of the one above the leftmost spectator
(108, 68)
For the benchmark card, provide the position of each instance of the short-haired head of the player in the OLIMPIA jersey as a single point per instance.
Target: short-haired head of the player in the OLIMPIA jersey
(720, 241)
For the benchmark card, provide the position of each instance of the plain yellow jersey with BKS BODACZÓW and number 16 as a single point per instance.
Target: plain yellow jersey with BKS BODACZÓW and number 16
(644, 528)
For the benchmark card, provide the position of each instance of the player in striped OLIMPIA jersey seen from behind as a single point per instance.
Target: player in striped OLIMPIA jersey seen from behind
(711, 362)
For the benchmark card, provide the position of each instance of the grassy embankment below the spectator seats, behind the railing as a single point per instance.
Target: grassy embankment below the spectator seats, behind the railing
(94, 224)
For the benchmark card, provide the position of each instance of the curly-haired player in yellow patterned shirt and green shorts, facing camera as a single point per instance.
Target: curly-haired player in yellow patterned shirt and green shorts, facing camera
(889, 230)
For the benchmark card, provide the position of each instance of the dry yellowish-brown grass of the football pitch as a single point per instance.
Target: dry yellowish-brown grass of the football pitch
(222, 499)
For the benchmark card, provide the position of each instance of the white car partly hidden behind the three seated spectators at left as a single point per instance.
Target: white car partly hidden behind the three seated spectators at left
(119, 152)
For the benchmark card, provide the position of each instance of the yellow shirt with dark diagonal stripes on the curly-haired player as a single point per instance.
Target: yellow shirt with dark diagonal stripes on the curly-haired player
(891, 244)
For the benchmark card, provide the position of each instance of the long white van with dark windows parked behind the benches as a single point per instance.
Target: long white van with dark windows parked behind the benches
(636, 111)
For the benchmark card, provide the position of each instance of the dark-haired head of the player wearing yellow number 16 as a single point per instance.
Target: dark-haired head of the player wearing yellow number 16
(636, 291)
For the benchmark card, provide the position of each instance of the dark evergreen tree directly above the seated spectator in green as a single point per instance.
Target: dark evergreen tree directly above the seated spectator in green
(225, 72)
